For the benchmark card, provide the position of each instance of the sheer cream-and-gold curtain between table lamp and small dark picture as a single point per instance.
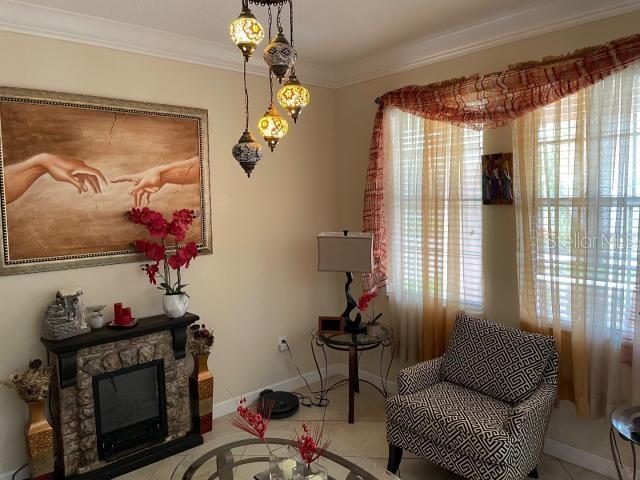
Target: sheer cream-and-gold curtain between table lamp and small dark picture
(434, 206)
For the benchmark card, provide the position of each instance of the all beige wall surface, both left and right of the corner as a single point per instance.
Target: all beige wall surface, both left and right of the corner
(261, 281)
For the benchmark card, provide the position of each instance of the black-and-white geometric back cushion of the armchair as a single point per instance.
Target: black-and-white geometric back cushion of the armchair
(501, 362)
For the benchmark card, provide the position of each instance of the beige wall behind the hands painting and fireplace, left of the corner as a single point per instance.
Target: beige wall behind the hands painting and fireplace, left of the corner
(261, 281)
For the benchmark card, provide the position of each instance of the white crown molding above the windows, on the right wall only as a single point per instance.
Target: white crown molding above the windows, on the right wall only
(544, 17)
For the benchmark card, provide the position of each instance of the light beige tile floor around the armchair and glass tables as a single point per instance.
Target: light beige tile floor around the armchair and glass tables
(362, 442)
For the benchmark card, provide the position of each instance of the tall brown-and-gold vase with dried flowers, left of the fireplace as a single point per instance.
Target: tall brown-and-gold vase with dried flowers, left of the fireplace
(33, 386)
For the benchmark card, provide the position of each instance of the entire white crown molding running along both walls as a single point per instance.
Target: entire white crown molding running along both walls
(547, 16)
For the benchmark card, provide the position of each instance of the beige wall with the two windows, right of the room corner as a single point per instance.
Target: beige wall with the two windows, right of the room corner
(356, 111)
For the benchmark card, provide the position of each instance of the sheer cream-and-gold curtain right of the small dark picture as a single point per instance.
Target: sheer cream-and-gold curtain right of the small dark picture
(577, 195)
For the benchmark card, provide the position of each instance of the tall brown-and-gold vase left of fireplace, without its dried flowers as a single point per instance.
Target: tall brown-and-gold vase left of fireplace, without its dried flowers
(39, 436)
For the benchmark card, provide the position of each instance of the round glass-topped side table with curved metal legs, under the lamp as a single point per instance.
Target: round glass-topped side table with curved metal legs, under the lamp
(354, 344)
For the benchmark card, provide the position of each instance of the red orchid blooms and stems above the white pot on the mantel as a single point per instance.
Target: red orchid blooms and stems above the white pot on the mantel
(159, 227)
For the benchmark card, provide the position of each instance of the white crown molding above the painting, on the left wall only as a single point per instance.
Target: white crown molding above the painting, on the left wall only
(48, 22)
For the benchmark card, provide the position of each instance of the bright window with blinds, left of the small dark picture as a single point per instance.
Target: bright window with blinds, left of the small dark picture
(426, 233)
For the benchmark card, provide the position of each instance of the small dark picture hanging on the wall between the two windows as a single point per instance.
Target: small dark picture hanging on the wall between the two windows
(497, 184)
